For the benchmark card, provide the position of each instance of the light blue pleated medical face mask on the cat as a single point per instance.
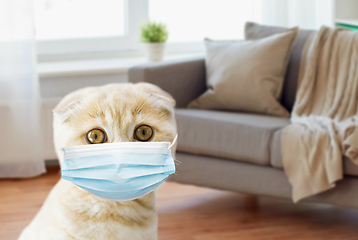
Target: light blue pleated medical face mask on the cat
(118, 171)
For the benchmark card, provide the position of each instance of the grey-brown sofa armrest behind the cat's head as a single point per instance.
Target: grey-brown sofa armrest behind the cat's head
(183, 79)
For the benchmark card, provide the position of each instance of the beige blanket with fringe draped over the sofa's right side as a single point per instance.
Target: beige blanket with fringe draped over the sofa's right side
(324, 120)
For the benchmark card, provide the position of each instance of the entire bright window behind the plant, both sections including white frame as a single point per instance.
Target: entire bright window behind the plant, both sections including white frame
(85, 27)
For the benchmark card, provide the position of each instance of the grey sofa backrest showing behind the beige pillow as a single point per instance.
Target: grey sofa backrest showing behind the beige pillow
(256, 31)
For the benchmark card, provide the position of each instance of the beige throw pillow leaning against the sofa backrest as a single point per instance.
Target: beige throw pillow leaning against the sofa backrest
(247, 75)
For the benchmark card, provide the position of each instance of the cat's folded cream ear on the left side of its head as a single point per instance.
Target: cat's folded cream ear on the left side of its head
(70, 101)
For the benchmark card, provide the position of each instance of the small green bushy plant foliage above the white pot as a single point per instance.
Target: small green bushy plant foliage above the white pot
(153, 32)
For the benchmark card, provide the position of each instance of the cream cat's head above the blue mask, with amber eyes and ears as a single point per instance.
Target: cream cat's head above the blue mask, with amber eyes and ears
(114, 113)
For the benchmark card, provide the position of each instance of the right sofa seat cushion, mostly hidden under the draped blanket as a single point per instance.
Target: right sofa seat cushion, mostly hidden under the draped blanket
(349, 168)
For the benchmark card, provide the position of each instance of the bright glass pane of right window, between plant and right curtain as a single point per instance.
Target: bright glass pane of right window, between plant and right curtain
(189, 20)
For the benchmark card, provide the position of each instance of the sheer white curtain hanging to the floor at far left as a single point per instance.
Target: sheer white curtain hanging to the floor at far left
(20, 132)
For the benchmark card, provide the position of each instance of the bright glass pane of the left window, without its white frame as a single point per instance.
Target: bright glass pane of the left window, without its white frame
(67, 19)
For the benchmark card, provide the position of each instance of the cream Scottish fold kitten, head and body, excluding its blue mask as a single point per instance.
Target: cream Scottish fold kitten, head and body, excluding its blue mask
(97, 115)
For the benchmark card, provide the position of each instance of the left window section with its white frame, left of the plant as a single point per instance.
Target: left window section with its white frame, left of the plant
(87, 27)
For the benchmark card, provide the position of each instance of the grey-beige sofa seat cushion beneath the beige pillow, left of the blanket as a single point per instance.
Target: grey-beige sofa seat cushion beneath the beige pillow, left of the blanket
(238, 136)
